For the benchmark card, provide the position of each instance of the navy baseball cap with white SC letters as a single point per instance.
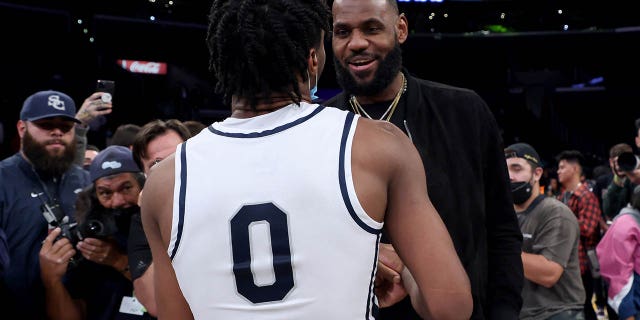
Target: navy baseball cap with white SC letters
(48, 104)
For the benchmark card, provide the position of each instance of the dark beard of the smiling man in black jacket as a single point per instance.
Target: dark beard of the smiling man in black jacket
(385, 74)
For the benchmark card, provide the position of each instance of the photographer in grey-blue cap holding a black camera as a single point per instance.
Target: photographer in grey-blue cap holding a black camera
(98, 283)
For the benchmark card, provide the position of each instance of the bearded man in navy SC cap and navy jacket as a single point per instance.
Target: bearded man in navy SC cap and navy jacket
(41, 175)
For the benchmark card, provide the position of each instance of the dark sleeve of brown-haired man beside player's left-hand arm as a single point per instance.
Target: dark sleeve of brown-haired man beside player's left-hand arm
(138, 248)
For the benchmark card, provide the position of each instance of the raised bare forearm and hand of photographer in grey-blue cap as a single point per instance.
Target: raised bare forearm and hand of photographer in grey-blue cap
(54, 259)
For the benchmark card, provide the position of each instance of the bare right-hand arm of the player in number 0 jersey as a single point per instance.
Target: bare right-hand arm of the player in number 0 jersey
(438, 284)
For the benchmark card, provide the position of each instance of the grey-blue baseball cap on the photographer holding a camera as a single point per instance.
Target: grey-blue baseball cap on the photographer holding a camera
(112, 160)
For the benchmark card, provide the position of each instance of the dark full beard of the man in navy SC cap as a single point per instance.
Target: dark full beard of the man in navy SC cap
(46, 162)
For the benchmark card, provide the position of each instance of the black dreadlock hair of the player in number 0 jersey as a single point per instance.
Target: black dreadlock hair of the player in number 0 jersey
(258, 47)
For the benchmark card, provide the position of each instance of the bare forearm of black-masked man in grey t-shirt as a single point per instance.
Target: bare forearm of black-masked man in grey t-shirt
(540, 270)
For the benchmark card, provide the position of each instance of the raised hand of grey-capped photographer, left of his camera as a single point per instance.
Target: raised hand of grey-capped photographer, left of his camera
(54, 257)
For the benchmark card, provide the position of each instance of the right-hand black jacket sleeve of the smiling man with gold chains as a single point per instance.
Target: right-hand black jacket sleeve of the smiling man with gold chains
(504, 239)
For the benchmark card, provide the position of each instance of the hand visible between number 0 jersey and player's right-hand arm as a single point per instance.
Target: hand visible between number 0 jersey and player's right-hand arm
(388, 283)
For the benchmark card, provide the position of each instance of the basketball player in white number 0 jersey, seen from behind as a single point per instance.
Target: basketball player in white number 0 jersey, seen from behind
(276, 212)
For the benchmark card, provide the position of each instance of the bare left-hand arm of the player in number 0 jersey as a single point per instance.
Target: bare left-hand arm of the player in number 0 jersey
(156, 219)
